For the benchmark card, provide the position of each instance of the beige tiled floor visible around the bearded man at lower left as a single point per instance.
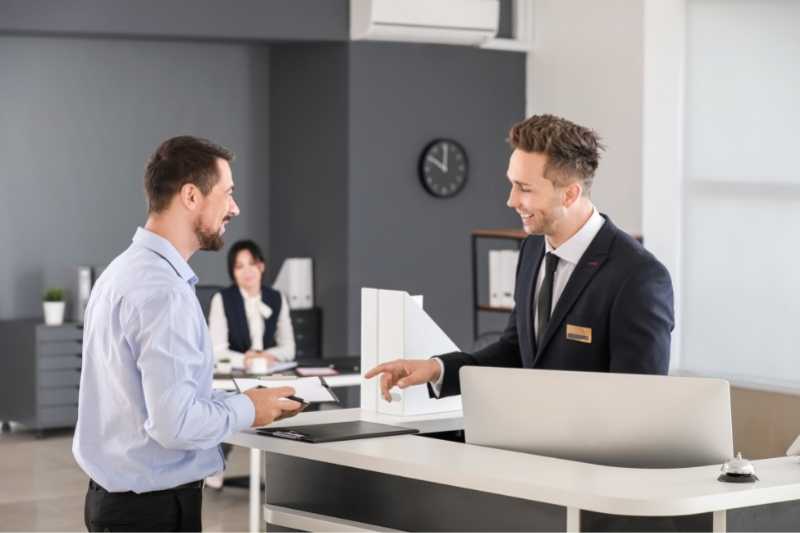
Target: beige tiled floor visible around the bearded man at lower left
(42, 489)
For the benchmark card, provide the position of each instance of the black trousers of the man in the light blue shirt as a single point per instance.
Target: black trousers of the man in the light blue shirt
(177, 509)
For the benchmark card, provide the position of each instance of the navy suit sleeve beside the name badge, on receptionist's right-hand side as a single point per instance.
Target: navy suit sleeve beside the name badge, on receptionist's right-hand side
(641, 322)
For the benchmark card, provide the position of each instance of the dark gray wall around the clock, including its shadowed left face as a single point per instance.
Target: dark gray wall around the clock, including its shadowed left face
(348, 124)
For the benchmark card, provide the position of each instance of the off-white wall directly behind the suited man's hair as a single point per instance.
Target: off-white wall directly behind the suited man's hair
(587, 67)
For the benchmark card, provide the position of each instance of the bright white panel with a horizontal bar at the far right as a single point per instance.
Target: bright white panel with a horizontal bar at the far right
(742, 191)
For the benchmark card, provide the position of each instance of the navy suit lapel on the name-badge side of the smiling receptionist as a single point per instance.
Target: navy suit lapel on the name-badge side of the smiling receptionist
(589, 264)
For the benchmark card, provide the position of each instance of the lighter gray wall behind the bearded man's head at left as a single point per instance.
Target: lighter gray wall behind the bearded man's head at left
(78, 120)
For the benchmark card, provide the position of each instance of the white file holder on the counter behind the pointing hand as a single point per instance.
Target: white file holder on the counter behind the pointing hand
(394, 326)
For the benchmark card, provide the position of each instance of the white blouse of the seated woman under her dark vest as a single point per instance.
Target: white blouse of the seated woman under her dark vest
(256, 312)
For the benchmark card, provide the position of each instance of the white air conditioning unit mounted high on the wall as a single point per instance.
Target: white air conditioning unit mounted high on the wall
(464, 22)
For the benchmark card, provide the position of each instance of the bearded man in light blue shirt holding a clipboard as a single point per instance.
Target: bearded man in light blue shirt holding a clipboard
(149, 424)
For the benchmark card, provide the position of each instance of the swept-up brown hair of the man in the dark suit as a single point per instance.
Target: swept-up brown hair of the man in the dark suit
(573, 152)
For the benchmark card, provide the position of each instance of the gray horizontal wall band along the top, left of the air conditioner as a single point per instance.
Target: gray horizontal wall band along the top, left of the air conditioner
(291, 20)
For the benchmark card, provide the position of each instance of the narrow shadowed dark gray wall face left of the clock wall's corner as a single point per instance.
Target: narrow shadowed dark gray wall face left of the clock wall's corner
(309, 195)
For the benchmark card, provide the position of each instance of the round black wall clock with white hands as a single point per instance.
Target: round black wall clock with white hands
(443, 168)
